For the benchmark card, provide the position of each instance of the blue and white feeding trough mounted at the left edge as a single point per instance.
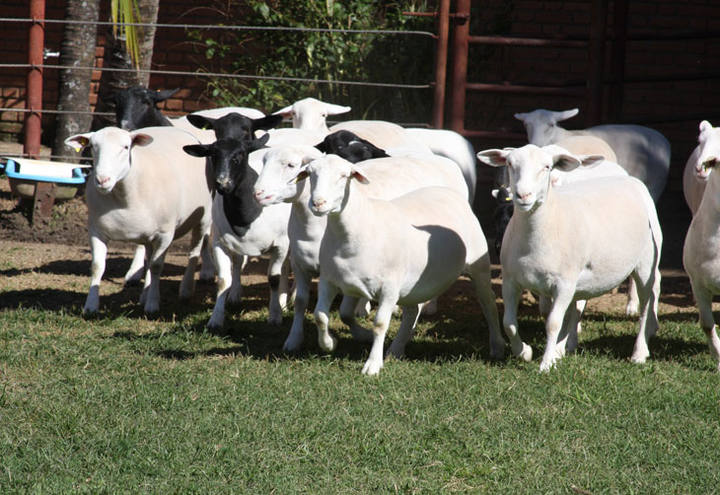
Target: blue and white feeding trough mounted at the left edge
(24, 174)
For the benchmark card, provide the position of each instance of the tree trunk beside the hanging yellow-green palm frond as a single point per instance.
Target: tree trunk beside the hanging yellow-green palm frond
(117, 57)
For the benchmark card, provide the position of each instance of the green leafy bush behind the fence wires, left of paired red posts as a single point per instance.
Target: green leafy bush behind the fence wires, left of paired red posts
(323, 56)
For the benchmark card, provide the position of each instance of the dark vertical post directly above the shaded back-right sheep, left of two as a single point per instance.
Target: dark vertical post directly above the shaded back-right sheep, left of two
(596, 61)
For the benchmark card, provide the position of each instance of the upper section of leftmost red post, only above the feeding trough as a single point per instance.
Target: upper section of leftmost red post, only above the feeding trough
(33, 87)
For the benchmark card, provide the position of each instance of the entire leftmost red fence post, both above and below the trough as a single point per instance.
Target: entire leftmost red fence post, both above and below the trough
(44, 196)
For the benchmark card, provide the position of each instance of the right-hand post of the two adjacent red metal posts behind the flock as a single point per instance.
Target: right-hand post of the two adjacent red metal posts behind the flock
(459, 73)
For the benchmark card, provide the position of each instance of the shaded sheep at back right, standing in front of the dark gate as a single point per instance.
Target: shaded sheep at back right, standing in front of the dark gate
(642, 151)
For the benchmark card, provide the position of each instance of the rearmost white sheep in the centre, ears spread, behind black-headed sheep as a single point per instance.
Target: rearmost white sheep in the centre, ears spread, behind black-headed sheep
(310, 114)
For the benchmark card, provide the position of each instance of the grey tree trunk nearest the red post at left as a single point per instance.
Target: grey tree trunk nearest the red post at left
(77, 50)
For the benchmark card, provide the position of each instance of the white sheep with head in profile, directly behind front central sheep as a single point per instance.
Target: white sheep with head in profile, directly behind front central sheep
(392, 177)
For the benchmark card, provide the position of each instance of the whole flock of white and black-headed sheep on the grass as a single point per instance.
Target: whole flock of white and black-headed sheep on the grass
(382, 215)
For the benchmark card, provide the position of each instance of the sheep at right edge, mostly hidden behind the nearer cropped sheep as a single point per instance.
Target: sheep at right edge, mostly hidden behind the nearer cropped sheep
(695, 175)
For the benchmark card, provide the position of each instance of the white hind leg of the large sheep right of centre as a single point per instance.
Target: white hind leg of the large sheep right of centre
(648, 285)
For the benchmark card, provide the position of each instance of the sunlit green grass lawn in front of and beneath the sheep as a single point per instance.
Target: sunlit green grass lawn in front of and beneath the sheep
(124, 404)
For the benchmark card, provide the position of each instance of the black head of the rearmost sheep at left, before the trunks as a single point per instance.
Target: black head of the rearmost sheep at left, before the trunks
(135, 107)
